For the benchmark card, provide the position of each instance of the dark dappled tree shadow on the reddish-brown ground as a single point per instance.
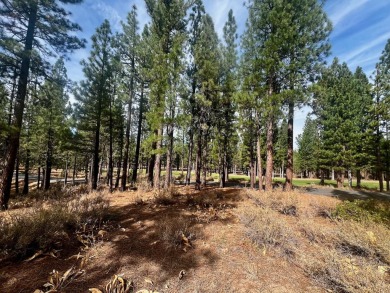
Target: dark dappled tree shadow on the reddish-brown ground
(146, 241)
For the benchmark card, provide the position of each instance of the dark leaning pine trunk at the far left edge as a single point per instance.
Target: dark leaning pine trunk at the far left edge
(13, 147)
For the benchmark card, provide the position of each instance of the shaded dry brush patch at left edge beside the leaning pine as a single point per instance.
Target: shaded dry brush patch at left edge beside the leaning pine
(48, 227)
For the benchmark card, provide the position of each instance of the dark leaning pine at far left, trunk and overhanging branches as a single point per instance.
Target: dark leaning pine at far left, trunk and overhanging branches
(47, 28)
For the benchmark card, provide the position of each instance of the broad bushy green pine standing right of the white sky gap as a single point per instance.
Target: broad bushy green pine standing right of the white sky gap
(337, 109)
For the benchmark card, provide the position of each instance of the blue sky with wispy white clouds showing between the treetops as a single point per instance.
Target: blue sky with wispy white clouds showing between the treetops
(361, 29)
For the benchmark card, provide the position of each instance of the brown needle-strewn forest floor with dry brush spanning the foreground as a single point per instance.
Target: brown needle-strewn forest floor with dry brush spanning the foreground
(231, 240)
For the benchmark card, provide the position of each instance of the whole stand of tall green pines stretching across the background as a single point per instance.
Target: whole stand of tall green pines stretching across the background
(173, 95)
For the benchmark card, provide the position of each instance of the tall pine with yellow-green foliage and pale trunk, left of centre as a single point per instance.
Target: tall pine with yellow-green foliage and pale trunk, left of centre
(167, 38)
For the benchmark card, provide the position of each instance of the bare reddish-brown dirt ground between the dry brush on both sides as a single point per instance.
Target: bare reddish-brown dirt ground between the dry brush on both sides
(194, 242)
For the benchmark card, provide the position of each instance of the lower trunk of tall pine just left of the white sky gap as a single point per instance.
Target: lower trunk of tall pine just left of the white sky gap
(290, 147)
